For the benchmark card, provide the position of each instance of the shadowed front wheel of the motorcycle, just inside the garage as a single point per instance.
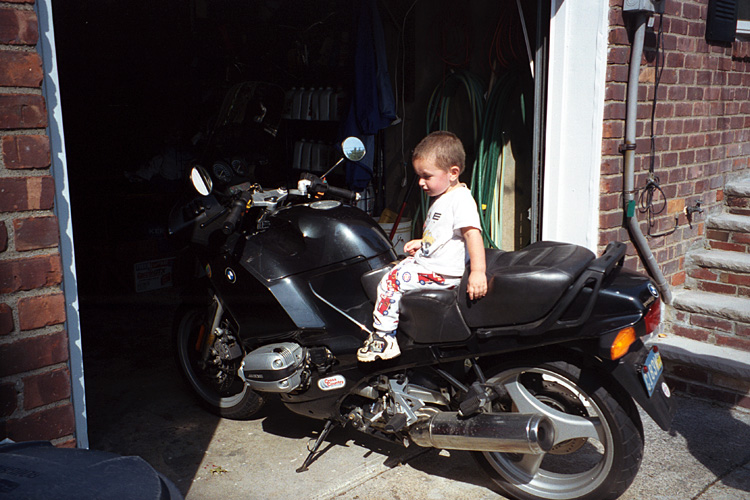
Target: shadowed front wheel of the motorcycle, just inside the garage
(218, 388)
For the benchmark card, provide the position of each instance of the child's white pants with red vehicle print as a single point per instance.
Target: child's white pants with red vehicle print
(406, 276)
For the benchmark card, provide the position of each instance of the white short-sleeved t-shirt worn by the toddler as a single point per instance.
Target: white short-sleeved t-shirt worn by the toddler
(443, 248)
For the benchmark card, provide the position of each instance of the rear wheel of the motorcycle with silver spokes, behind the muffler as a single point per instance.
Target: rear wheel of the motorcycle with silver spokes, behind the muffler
(599, 437)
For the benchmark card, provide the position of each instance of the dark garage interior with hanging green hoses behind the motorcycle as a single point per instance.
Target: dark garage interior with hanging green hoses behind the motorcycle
(148, 89)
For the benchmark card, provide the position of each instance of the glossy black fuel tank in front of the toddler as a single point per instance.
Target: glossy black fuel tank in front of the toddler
(306, 237)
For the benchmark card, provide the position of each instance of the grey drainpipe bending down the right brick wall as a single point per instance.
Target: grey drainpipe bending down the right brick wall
(631, 221)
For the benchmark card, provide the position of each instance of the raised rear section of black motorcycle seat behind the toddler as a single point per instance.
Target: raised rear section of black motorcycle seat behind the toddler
(524, 286)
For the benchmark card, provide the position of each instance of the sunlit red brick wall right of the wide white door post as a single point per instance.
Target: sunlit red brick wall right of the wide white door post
(702, 125)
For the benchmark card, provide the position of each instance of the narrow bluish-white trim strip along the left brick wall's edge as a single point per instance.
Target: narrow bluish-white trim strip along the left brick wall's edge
(51, 90)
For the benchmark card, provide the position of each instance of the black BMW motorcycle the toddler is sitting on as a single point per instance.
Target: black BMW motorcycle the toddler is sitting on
(540, 378)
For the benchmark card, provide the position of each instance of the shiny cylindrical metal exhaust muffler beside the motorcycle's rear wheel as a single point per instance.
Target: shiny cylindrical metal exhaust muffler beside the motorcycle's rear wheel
(503, 432)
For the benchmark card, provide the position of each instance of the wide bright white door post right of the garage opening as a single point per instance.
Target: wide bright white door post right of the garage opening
(575, 113)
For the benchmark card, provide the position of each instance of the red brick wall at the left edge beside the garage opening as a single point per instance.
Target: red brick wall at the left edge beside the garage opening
(35, 385)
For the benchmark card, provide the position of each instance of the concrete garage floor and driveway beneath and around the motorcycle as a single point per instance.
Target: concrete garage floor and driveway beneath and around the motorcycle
(138, 405)
